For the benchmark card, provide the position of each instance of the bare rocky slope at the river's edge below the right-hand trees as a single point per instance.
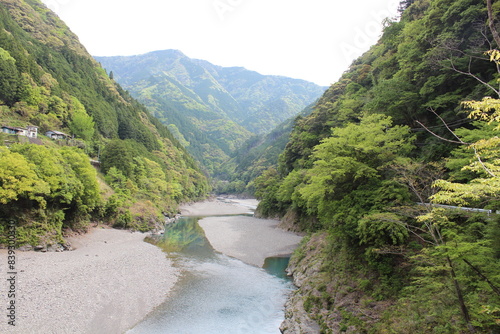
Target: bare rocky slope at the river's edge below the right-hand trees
(331, 295)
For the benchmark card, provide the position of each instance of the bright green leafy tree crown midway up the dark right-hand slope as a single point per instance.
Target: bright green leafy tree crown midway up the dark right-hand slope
(352, 157)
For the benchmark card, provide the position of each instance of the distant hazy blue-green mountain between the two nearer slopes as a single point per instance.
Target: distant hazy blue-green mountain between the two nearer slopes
(211, 109)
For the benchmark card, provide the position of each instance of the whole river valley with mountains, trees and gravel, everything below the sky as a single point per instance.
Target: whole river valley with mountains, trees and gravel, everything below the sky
(362, 183)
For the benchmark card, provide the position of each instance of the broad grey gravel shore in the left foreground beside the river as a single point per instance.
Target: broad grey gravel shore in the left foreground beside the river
(108, 284)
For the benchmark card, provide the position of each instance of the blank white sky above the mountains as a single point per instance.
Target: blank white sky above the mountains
(314, 40)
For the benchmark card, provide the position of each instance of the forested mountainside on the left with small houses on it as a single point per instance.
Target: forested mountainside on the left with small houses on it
(48, 80)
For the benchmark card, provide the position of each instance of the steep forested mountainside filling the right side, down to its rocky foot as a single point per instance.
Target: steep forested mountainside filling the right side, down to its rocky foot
(393, 132)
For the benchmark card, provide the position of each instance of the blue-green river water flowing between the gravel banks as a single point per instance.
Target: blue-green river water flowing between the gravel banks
(217, 294)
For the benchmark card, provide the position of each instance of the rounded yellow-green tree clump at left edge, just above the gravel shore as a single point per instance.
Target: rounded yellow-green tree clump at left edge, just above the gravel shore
(48, 189)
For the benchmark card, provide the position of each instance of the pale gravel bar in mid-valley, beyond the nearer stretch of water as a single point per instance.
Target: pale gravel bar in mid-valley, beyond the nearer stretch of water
(248, 239)
